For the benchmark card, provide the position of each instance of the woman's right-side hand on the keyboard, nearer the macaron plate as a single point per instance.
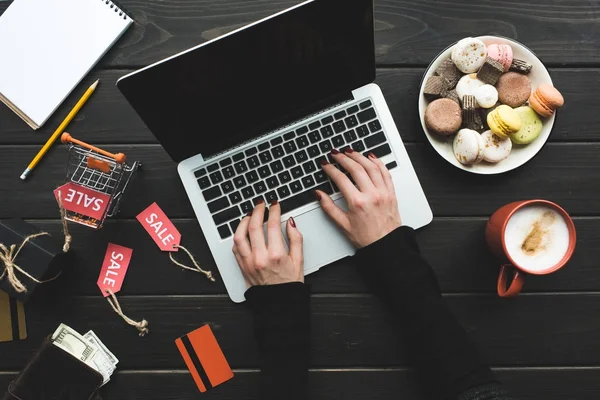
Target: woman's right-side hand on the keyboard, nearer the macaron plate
(372, 205)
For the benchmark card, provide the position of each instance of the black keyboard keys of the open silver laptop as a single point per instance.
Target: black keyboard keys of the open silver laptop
(287, 168)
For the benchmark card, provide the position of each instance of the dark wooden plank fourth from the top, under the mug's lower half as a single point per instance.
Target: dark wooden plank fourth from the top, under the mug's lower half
(454, 247)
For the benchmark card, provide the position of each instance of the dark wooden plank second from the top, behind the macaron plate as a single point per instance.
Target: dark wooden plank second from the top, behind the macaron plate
(109, 118)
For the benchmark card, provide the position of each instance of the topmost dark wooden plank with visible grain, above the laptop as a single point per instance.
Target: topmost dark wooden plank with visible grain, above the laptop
(407, 32)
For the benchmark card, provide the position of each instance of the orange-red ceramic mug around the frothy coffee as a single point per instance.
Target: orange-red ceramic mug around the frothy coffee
(495, 238)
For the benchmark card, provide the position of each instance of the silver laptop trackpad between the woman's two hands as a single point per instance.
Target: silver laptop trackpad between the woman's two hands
(323, 241)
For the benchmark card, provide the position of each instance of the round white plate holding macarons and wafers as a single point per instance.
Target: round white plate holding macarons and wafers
(520, 153)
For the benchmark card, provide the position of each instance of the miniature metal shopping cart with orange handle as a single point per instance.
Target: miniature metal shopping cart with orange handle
(98, 170)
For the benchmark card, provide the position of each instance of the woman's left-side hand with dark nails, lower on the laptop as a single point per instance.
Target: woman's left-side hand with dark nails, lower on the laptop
(268, 264)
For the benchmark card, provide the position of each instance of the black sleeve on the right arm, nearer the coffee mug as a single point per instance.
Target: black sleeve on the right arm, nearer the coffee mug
(448, 365)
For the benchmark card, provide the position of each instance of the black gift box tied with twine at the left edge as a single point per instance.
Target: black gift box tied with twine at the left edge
(41, 257)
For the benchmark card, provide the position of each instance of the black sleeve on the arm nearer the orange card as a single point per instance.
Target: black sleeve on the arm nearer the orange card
(282, 330)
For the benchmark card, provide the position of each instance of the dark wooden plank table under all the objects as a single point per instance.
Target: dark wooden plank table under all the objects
(543, 345)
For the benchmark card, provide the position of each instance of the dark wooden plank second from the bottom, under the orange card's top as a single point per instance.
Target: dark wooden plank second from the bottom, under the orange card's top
(347, 330)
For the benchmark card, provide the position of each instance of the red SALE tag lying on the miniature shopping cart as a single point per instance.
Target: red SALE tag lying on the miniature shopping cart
(82, 200)
